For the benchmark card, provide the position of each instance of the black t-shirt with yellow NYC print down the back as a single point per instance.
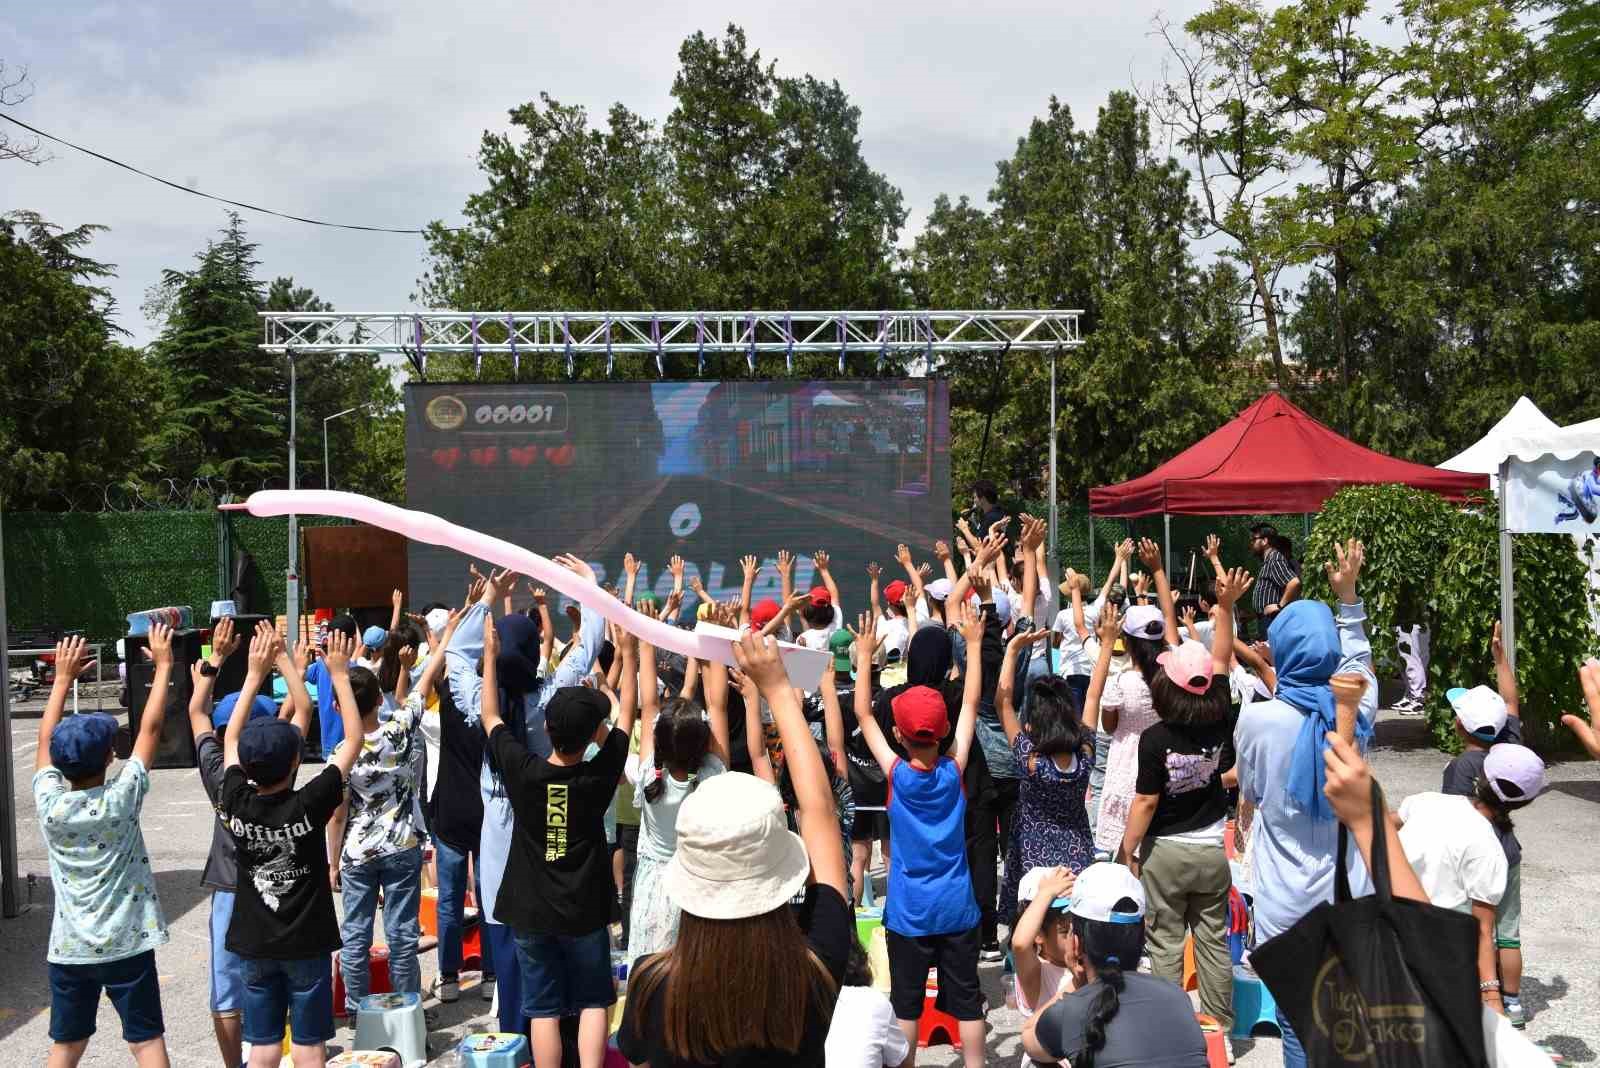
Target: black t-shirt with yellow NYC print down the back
(559, 863)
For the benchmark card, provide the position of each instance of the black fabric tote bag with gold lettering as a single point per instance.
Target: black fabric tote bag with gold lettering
(1380, 982)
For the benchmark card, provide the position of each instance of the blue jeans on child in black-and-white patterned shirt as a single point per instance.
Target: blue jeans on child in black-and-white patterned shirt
(401, 879)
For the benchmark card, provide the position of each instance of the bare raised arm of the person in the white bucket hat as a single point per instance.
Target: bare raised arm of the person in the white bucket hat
(815, 808)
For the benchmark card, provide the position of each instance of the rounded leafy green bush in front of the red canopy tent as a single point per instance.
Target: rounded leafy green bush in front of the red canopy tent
(1407, 535)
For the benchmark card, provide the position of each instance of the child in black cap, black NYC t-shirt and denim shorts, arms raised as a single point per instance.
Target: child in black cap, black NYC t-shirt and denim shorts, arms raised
(559, 861)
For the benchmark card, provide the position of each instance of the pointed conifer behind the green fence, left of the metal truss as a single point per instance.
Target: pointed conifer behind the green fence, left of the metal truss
(228, 397)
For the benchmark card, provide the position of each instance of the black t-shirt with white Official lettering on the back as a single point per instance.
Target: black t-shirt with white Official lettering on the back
(284, 907)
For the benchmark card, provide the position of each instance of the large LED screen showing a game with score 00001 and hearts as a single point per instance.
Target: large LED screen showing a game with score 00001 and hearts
(703, 471)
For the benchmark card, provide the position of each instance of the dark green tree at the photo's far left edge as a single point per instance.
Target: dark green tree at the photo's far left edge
(74, 402)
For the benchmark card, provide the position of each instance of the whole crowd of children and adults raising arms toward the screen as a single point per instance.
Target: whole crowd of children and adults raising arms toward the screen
(716, 826)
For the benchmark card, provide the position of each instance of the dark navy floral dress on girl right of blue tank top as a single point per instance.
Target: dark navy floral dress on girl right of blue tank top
(1052, 824)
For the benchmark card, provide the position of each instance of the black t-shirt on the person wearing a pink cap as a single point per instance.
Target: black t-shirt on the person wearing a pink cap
(1185, 765)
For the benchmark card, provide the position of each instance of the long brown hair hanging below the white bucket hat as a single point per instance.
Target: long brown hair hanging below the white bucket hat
(734, 984)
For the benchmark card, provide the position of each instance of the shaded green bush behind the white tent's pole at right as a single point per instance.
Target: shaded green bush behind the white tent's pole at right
(1554, 632)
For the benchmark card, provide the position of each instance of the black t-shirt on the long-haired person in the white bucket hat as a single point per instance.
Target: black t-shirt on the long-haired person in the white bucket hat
(828, 931)
